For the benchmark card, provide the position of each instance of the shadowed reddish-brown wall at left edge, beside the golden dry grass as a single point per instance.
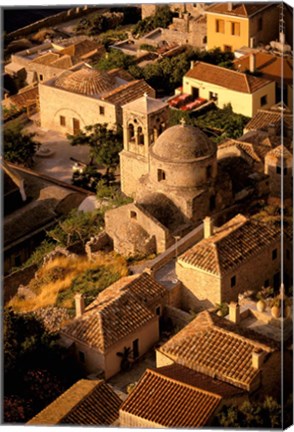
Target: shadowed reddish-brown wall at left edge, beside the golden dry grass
(12, 281)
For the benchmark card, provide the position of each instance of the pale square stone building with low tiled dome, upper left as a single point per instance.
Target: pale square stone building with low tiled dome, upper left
(85, 96)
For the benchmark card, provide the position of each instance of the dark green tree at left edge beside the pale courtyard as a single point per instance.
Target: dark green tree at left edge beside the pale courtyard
(19, 147)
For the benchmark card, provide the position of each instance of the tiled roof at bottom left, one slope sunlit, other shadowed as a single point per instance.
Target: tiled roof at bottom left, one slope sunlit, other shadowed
(87, 402)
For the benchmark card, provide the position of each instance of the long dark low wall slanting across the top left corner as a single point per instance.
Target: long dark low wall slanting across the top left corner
(52, 20)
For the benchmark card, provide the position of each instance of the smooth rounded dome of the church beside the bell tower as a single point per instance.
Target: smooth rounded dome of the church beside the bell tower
(183, 142)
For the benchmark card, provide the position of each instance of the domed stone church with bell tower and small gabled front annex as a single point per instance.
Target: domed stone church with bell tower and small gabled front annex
(166, 204)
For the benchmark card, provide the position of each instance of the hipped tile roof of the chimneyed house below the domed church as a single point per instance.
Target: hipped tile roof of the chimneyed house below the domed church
(235, 242)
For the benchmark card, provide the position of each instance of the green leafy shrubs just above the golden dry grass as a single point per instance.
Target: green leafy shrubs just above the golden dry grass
(77, 226)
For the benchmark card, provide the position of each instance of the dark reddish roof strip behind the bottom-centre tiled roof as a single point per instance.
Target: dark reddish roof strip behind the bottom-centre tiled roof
(199, 380)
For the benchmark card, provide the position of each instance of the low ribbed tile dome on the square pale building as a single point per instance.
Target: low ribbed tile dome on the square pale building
(85, 81)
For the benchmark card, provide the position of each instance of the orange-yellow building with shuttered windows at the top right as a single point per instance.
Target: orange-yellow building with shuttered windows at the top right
(231, 26)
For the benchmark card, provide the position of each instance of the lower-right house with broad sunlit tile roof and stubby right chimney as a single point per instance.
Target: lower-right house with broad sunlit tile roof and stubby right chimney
(218, 348)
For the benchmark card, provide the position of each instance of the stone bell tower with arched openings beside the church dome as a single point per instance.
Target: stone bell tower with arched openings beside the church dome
(143, 121)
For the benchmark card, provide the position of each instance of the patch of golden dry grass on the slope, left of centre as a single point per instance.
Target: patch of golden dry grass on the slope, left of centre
(58, 281)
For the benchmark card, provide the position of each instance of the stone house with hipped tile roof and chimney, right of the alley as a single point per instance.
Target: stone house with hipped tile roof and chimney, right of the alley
(223, 264)
